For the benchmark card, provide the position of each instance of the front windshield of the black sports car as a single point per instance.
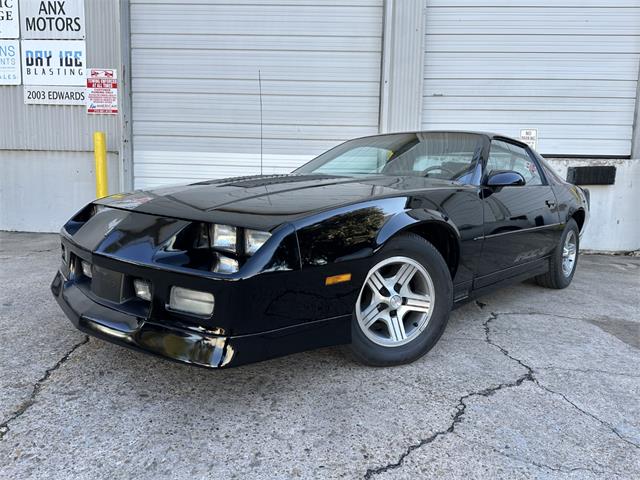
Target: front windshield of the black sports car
(444, 155)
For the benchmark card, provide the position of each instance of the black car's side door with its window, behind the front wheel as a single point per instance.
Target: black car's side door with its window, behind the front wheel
(521, 222)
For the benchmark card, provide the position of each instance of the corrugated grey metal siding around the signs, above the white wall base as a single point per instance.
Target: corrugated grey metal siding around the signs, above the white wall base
(69, 128)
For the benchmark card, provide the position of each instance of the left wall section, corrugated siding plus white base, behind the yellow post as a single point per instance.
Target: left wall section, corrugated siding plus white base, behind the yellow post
(46, 159)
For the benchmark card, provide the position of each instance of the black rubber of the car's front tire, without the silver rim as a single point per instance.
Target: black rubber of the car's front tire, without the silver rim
(418, 249)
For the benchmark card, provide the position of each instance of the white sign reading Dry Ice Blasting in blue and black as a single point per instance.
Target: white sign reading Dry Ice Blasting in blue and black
(51, 62)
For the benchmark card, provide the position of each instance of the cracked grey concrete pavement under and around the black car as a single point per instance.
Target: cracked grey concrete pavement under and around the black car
(525, 383)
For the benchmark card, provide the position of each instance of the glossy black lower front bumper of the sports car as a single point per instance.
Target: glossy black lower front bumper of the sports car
(192, 344)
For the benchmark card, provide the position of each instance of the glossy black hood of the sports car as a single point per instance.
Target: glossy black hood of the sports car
(264, 202)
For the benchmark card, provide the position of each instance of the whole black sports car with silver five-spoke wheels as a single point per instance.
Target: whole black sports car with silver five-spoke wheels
(370, 244)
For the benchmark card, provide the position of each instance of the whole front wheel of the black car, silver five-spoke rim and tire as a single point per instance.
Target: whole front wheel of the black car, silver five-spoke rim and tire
(404, 303)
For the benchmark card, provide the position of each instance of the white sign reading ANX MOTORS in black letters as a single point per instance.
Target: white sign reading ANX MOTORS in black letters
(57, 19)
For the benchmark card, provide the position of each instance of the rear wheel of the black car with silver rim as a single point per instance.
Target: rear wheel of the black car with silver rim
(564, 259)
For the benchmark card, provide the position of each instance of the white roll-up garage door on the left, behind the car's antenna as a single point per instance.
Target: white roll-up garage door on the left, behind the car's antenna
(194, 66)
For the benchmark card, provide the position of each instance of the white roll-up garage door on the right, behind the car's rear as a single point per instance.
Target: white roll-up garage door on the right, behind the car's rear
(566, 67)
